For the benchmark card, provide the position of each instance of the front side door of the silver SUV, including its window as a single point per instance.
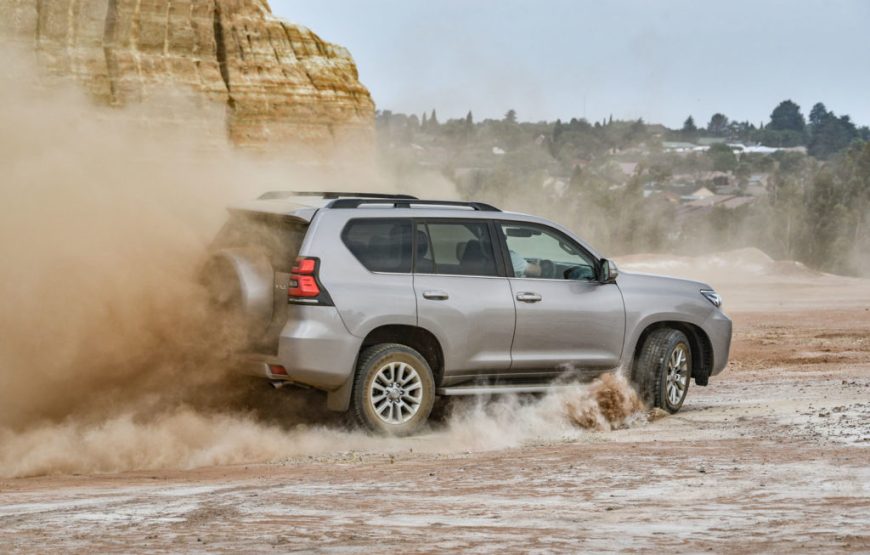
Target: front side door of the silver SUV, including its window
(565, 317)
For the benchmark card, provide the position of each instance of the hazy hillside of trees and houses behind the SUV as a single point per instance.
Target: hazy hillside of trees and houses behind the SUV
(815, 209)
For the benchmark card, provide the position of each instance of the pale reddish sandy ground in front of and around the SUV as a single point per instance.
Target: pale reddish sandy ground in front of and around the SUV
(773, 456)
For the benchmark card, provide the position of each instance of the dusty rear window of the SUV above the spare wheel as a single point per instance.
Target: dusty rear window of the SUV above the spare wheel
(279, 237)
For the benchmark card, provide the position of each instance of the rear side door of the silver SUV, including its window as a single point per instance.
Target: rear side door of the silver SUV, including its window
(463, 296)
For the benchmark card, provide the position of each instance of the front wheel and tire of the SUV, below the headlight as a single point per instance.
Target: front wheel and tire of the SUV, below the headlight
(663, 370)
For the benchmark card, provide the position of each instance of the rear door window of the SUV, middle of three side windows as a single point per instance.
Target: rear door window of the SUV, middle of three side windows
(457, 248)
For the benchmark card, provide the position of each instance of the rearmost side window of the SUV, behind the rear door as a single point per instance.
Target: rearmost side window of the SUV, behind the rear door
(380, 245)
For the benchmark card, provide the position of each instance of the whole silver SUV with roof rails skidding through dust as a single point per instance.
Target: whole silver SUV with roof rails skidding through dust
(387, 301)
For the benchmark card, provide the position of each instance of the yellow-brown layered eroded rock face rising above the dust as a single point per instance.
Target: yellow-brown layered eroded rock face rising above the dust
(280, 82)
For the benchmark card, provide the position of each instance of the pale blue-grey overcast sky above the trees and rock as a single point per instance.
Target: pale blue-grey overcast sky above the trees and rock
(548, 59)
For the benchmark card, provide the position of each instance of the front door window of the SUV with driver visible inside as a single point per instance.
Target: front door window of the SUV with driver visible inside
(536, 252)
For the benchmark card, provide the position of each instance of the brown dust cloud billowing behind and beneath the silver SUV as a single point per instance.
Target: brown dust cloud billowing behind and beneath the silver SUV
(110, 358)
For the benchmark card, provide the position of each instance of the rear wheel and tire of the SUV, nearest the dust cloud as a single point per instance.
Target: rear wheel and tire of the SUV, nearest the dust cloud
(393, 391)
